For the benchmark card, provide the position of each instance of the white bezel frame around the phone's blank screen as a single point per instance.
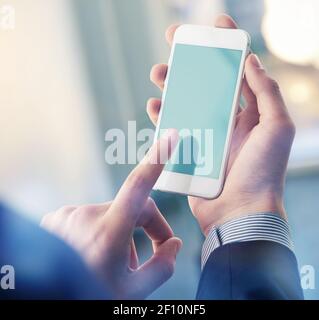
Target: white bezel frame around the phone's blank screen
(209, 37)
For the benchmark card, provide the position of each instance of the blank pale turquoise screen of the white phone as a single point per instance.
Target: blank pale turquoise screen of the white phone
(198, 102)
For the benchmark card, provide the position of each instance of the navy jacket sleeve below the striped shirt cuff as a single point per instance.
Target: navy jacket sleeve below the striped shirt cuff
(250, 270)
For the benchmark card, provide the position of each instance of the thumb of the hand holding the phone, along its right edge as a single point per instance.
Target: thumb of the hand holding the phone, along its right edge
(269, 99)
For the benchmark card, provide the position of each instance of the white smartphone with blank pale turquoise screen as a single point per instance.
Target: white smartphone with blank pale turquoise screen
(200, 100)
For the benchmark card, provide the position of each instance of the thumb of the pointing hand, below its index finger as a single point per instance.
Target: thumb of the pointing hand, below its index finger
(158, 269)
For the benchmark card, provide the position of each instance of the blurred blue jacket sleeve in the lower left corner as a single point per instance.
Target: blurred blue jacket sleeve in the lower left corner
(45, 268)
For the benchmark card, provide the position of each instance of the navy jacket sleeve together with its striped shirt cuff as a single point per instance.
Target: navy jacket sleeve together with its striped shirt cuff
(250, 258)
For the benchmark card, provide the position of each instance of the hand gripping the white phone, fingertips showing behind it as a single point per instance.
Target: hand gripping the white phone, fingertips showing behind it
(260, 146)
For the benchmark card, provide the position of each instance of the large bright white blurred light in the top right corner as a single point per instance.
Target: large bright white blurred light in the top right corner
(291, 28)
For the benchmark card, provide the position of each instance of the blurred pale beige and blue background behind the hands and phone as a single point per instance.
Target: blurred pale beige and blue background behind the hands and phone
(72, 69)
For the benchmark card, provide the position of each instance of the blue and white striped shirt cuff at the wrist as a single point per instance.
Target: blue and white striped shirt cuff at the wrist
(260, 226)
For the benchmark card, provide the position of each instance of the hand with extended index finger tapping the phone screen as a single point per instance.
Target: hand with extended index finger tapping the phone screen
(103, 234)
